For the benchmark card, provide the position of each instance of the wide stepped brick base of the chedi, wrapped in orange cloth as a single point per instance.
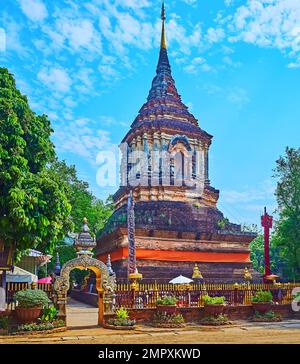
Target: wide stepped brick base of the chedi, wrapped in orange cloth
(171, 237)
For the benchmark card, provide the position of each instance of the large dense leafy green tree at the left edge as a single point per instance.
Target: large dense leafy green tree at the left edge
(34, 208)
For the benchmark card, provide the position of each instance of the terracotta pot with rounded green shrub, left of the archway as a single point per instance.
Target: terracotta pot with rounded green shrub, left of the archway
(30, 304)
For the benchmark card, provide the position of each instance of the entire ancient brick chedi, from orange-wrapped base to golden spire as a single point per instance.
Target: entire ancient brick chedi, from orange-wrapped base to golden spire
(177, 222)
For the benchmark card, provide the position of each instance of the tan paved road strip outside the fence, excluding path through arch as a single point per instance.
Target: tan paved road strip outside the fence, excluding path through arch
(242, 334)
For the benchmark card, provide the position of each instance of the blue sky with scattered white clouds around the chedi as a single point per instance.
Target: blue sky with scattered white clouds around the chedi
(89, 65)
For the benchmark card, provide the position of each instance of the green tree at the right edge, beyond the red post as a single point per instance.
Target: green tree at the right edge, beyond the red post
(287, 229)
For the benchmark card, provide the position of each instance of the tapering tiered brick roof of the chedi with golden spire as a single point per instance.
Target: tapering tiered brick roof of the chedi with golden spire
(164, 108)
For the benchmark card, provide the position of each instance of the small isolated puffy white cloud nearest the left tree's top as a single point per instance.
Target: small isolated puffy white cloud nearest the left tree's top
(55, 78)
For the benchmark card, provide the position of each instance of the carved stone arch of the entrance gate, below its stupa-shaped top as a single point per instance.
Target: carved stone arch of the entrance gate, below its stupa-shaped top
(105, 285)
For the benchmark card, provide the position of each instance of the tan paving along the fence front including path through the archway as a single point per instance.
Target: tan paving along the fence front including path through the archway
(83, 330)
